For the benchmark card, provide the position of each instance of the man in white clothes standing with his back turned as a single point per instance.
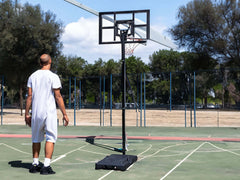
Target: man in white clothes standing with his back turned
(43, 90)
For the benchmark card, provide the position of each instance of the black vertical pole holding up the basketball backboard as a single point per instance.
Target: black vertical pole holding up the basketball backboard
(123, 35)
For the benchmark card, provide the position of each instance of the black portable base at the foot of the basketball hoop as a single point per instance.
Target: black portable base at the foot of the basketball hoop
(116, 162)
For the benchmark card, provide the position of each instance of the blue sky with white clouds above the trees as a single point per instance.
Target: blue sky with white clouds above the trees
(80, 37)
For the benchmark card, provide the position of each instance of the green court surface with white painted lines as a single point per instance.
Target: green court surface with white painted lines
(74, 158)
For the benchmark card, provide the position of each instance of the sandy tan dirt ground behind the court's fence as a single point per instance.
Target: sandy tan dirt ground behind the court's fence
(174, 118)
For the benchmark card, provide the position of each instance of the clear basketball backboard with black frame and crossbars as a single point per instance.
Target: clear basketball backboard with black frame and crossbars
(136, 22)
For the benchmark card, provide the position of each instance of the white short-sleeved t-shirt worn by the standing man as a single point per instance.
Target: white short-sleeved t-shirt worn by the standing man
(42, 83)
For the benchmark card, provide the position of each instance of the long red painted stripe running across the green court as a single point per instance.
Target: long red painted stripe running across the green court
(159, 138)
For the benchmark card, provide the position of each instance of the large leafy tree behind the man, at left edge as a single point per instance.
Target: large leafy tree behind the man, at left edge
(25, 33)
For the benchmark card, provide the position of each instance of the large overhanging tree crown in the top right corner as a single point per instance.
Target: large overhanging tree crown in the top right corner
(211, 28)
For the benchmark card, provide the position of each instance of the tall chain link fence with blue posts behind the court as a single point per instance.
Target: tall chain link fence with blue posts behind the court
(184, 99)
